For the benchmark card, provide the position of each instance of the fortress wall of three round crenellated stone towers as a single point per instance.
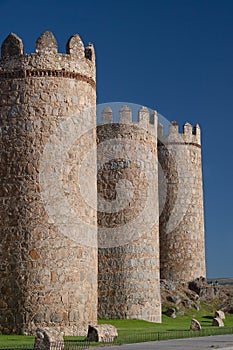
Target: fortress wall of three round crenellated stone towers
(91, 217)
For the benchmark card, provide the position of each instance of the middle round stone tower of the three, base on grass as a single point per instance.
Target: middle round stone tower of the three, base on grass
(128, 231)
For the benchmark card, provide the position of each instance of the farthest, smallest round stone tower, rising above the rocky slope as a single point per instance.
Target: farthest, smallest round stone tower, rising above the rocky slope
(181, 224)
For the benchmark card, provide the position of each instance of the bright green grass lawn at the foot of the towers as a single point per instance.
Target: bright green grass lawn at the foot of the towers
(136, 327)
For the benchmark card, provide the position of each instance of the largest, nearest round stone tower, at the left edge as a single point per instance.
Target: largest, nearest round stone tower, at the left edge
(48, 273)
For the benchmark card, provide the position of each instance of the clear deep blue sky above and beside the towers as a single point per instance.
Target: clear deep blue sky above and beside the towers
(175, 56)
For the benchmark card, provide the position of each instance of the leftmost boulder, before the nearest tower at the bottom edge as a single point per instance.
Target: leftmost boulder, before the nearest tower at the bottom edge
(48, 338)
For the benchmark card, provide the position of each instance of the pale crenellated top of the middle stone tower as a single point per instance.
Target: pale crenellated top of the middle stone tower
(145, 119)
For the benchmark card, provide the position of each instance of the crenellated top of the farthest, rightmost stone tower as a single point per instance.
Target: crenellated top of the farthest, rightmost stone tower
(189, 134)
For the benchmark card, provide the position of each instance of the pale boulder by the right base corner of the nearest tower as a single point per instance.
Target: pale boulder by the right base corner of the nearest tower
(102, 333)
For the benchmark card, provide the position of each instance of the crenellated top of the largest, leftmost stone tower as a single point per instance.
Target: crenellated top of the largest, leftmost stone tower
(78, 62)
